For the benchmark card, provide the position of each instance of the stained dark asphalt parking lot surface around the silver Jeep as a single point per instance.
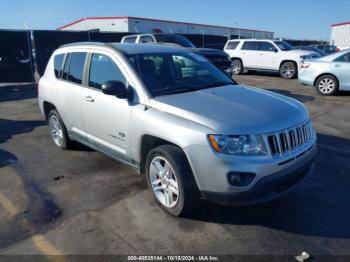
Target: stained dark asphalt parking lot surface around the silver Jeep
(82, 202)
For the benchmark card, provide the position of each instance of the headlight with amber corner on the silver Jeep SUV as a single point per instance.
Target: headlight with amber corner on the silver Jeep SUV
(239, 144)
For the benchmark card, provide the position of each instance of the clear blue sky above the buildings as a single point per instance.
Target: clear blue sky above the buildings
(297, 19)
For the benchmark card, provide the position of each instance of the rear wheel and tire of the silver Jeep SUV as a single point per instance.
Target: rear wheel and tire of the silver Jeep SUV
(58, 130)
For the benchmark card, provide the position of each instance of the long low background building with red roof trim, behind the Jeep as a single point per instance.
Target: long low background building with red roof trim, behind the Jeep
(145, 25)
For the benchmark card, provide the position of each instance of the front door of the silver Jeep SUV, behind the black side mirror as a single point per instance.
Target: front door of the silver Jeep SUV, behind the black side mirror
(106, 118)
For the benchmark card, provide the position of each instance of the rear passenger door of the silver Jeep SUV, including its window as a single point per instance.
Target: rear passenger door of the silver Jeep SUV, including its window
(68, 90)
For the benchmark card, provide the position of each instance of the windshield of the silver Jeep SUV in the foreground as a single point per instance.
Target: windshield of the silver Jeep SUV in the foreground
(171, 73)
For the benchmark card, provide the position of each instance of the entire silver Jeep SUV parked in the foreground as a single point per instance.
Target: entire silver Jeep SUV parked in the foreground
(172, 115)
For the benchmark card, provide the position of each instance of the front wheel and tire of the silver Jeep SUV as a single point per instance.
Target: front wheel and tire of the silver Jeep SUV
(173, 171)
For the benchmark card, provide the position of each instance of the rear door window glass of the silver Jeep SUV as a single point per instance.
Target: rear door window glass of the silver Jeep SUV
(73, 68)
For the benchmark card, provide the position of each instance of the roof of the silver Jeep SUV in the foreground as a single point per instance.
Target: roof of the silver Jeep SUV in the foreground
(131, 48)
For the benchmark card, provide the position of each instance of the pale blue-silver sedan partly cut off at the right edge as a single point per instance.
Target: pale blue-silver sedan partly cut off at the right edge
(328, 74)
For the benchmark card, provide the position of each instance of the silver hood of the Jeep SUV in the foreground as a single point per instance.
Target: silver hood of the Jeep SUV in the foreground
(234, 109)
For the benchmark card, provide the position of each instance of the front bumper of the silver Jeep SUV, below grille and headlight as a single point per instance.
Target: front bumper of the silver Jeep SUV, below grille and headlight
(273, 178)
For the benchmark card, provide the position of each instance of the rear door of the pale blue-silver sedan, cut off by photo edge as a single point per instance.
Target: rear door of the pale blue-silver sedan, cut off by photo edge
(341, 68)
